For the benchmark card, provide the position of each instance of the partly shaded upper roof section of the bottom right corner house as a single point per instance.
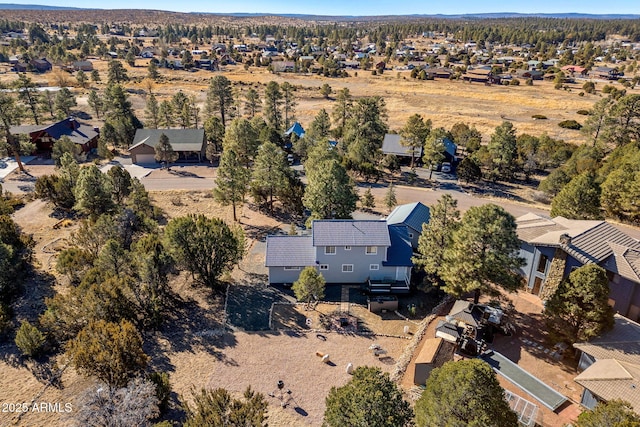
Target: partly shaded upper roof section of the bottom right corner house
(621, 343)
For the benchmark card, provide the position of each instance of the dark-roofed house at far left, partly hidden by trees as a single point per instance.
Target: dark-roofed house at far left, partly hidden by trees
(44, 136)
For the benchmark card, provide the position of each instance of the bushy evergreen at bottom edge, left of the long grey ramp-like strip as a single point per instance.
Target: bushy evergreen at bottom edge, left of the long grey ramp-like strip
(464, 393)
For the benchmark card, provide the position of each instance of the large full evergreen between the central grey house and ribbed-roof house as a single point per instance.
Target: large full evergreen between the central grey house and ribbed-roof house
(484, 252)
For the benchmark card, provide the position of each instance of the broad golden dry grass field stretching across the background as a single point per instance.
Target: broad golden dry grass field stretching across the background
(444, 102)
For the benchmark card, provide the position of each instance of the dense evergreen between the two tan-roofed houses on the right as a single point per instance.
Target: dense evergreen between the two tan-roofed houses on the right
(579, 309)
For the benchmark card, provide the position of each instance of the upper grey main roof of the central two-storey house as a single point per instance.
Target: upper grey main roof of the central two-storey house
(337, 232)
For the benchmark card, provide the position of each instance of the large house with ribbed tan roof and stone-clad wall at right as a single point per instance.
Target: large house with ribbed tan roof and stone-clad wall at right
(553, 247)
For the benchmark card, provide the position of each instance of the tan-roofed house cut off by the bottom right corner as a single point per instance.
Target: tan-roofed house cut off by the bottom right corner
(610, 365)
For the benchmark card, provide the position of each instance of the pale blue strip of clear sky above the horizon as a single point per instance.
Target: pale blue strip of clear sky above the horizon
(356, 7)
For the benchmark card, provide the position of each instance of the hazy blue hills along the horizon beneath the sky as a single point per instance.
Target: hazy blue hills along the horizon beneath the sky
(306, 17)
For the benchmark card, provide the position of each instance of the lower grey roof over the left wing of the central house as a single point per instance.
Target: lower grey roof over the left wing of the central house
(289, 251)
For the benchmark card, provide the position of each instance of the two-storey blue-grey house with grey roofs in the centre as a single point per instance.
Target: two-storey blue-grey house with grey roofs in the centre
(368, 252)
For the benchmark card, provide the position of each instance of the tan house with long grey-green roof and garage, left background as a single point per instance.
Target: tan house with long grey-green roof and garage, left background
(188, 143)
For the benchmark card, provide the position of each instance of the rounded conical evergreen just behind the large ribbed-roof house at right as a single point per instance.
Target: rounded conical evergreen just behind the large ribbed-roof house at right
(579, 199)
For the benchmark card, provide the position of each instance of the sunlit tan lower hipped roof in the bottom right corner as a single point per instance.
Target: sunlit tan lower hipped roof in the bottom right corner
(612, 379)
